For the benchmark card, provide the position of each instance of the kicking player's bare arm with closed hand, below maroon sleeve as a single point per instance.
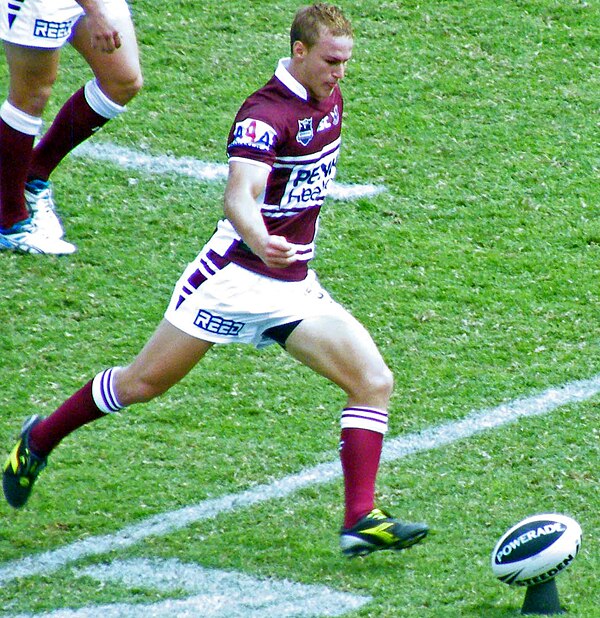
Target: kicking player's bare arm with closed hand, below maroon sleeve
(245, 184)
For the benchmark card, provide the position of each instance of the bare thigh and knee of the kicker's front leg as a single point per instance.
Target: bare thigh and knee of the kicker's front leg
(341, 349)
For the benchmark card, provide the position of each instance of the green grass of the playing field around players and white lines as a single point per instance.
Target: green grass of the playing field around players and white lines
(476, 271)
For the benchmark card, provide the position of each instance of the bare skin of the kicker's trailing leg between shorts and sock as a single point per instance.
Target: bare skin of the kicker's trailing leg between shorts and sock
(168, 357)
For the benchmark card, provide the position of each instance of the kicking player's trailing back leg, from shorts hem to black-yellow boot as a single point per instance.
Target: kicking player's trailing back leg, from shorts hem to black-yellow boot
(167, 358)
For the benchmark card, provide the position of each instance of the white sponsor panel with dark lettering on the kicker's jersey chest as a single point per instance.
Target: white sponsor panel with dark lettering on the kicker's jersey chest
(309, 184)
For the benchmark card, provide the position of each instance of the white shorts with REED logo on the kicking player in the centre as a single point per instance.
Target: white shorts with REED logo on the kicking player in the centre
(235, 305)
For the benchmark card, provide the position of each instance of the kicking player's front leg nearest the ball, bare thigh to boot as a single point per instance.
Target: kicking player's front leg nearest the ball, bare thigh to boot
(340, 349)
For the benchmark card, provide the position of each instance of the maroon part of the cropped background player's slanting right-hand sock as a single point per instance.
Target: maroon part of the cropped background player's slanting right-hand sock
(74, 123)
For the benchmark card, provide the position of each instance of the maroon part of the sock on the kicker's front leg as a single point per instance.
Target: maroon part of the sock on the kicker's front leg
(360, 452)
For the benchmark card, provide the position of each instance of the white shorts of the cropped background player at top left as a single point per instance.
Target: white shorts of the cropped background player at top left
(46, 23)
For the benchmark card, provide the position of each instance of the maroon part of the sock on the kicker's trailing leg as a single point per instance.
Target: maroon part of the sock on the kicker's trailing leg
(76, 411)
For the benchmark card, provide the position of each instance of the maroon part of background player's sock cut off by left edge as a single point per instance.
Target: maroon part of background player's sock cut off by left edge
(15, 155)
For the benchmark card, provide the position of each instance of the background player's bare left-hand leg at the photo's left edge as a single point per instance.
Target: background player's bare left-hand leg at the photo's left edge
(32, 72)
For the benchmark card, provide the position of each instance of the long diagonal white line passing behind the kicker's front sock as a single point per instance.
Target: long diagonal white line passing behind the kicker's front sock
(398, 448)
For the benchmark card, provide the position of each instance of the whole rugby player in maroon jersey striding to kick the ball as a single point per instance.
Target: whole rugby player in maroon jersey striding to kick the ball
(251, 283)
